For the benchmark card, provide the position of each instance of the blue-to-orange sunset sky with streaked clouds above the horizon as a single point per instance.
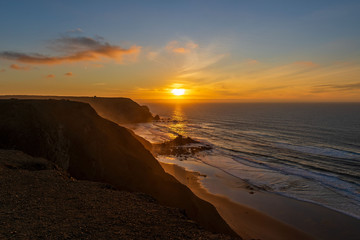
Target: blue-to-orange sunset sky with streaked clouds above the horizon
(251, 51)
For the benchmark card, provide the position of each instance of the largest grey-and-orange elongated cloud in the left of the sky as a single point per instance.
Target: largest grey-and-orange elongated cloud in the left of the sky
(76, 49)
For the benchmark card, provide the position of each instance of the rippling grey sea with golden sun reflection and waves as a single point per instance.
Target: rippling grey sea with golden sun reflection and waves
(305, 151)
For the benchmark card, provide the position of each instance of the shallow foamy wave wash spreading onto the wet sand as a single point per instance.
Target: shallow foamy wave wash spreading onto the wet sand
(293, 182)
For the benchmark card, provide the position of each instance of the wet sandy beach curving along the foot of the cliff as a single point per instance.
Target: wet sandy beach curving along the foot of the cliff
(308, 221)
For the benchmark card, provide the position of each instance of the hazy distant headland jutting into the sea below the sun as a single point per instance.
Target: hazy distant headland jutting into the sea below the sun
(119, 110)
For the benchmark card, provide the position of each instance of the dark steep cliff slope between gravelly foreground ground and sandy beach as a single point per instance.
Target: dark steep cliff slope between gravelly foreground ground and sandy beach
(72, 136)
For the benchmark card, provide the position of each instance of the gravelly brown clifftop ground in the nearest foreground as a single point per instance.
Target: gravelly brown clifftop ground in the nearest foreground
(39, 202)
